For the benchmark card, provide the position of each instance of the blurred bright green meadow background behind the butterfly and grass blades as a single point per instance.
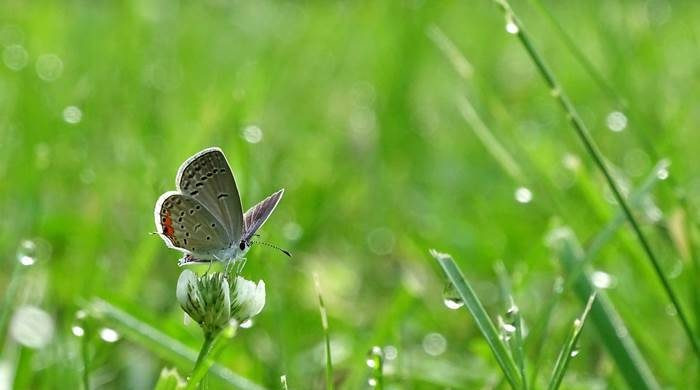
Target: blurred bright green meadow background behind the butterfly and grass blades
(355, 110)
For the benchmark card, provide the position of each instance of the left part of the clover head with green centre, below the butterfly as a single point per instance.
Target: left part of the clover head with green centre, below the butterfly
(205, 299)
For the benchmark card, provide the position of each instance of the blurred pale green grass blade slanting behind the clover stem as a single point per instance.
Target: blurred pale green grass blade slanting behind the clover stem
(159, 343)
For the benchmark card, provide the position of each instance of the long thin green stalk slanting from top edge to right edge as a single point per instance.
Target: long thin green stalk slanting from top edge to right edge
(595, 153)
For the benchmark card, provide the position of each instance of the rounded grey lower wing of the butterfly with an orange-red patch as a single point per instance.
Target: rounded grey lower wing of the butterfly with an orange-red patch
(186, 225)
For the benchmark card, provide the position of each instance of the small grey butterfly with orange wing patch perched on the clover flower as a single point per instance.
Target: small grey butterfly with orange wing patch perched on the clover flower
(204, 218)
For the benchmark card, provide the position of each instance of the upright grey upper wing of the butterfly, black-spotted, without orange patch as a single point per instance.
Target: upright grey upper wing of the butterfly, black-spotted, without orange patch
(207, 177)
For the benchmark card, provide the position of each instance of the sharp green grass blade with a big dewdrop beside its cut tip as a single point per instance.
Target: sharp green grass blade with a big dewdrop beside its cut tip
(482, 319)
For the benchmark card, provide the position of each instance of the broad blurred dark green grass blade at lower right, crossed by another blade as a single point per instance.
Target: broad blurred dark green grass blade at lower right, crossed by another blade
(609, 325)
